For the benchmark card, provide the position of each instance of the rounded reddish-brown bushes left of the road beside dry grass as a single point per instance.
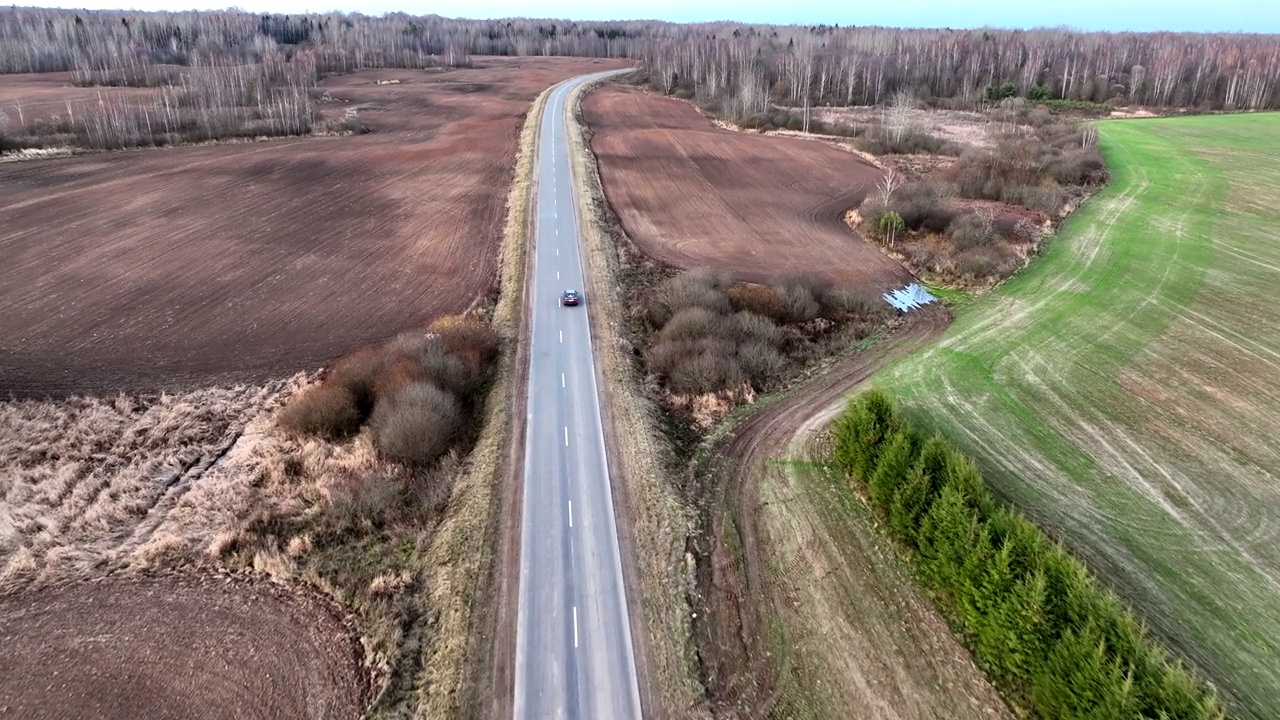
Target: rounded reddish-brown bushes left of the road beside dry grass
(414, 391)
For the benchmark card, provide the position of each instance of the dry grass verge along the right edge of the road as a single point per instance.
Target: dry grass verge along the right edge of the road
(659, 521)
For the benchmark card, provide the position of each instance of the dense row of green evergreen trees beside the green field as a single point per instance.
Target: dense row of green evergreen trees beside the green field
(1044, 628)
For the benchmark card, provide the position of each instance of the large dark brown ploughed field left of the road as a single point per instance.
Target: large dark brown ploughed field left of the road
(157, 270)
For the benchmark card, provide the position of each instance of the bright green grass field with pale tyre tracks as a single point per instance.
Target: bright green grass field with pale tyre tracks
(1126, 390)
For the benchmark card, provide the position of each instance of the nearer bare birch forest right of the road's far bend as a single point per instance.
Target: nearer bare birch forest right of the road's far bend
(744, 67)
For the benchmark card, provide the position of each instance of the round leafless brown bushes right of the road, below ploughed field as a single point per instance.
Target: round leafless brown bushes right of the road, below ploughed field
(715, 335)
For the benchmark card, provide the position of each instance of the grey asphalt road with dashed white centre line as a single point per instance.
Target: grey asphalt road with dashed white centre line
(574, 655)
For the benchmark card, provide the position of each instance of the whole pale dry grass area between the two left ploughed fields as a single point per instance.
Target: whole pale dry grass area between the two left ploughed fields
(209, 480)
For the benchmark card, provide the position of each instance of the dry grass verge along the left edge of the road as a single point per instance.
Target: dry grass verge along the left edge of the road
(461, 558)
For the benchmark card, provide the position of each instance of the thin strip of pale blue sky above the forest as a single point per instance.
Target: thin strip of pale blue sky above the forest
(1192, 16)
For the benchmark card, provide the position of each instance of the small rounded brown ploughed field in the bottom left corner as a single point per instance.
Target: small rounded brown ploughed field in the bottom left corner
(166, 648)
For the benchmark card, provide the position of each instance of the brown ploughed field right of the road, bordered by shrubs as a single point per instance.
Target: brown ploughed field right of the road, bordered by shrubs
(691, 194)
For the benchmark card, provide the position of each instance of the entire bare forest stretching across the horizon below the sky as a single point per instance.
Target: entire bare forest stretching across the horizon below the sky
(725, 62)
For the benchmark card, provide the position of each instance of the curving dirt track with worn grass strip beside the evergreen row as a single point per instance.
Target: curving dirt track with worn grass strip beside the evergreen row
(909, 667)
